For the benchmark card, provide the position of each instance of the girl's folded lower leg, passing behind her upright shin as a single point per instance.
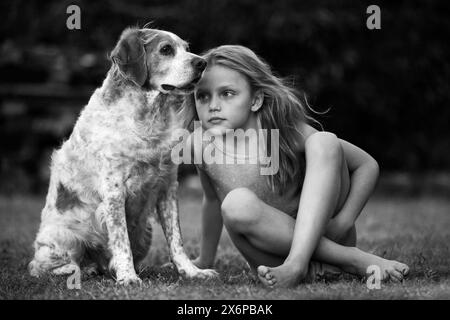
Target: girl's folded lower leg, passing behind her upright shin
(264, 234)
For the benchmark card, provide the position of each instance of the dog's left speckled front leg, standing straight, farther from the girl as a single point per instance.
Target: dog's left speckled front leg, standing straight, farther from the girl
(113, 211)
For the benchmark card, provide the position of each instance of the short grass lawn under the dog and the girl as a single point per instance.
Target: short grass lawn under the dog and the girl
(414, 230)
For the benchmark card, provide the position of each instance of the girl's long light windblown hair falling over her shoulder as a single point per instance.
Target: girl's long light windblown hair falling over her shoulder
(282, 108)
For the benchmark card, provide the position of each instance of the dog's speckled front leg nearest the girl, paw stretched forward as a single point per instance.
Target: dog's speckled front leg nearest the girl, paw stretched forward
(167, 207)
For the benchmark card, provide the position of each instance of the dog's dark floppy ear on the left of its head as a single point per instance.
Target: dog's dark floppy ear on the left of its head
(130, 56)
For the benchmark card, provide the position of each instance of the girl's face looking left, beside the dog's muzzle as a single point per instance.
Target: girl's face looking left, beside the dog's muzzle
(223, 99)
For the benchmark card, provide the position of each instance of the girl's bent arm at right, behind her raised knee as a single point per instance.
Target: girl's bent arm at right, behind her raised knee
(364, 172)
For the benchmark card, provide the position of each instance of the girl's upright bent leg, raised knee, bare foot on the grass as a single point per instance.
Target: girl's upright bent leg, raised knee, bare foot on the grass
(324, 187)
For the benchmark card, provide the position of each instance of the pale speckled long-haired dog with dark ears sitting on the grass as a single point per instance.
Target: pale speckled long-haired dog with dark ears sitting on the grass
(115, 169)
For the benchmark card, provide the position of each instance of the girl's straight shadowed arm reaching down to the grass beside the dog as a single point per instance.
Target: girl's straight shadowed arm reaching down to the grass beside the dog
(212, 224)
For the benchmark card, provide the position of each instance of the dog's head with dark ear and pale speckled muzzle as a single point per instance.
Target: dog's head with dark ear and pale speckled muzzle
(158, 60)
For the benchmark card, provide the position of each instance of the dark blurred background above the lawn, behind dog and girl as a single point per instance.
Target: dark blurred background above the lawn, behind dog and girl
(387, 90)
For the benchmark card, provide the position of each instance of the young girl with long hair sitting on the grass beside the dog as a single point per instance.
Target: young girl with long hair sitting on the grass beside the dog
(306, 210)
